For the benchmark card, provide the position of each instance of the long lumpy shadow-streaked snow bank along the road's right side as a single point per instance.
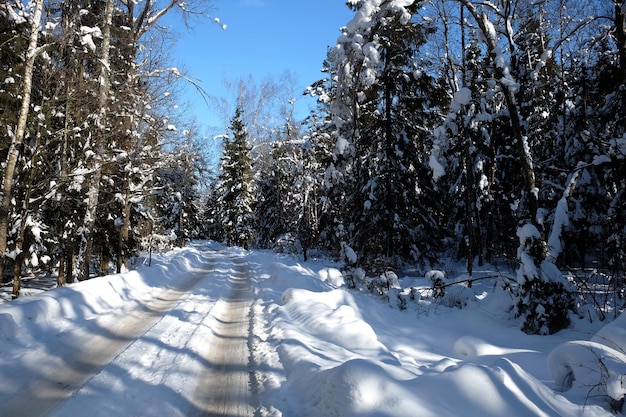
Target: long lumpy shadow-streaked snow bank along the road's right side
(338, 360)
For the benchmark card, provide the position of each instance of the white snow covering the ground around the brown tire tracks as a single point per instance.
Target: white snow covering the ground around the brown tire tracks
(317, 348)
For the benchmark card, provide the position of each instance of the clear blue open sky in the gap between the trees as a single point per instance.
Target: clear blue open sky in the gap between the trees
(263, 37)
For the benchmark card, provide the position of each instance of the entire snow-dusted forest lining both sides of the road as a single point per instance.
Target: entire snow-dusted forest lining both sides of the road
(483, 132)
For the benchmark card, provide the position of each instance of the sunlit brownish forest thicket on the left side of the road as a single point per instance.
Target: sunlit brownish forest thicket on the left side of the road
(89, 167)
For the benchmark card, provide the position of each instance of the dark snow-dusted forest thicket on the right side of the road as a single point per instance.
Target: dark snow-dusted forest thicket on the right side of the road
(475, 130)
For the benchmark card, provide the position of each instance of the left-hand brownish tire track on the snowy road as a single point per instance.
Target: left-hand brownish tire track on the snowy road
(78, 354)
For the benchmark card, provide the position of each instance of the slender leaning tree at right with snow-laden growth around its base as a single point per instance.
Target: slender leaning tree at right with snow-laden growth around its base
(544, 298)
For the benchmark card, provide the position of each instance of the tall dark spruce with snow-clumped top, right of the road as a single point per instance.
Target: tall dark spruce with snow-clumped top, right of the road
(382, 113)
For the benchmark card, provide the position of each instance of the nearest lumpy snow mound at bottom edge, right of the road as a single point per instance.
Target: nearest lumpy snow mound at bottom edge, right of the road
(366, 387)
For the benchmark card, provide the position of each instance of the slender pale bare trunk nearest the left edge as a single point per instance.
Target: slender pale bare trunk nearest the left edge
(18, 138)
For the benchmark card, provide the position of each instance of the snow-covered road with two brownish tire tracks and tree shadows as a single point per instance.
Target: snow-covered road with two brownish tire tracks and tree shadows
(173, 350)
